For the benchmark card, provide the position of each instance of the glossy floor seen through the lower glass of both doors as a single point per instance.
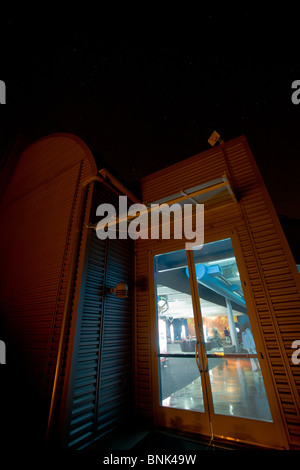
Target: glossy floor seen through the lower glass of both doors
(237, 390)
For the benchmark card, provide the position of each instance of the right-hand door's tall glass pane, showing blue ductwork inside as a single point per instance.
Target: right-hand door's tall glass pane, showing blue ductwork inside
(235, 376)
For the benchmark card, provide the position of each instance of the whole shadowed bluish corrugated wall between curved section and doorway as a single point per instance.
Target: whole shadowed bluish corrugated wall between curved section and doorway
(100, 387)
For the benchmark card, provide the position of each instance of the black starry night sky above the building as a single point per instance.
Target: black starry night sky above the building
(146, 86)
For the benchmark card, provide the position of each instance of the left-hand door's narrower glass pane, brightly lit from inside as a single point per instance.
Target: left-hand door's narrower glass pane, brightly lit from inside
(179, 377)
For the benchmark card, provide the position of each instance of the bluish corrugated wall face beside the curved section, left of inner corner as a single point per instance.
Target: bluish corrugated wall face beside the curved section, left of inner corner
(84, 381)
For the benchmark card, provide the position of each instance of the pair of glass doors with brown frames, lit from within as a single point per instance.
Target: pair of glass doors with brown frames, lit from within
(209, 377)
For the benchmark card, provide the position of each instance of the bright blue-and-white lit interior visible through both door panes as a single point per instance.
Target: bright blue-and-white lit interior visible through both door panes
(236, 383)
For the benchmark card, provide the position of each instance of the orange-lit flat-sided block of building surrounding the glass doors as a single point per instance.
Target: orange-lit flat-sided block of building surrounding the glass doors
(271, 284)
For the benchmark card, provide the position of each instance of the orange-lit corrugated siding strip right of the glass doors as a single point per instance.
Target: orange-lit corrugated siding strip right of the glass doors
(274, 281)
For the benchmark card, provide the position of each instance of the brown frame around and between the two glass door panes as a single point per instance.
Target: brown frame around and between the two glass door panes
(213, 425)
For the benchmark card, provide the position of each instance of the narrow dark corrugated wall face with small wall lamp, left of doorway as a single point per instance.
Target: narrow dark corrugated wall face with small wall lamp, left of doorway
(115, 392)
